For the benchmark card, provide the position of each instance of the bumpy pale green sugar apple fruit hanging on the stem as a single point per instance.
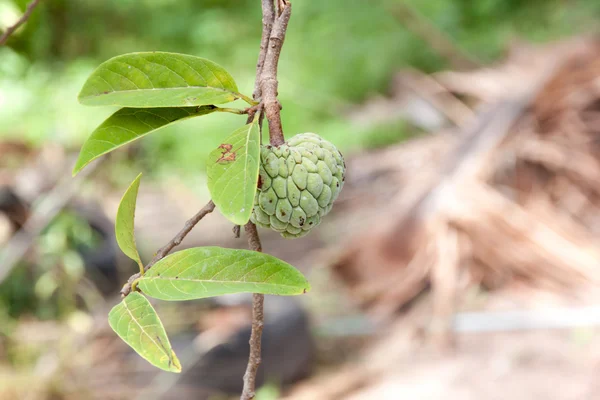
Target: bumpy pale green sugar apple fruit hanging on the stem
(298, 183)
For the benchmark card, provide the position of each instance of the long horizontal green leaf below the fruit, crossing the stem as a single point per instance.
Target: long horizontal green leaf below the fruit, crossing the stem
(213, 271)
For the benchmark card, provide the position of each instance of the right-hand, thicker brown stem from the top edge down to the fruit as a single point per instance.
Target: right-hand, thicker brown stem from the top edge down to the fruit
(268, 78)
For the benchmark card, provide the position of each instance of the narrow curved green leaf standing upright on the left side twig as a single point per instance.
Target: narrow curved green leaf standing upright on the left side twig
(124, 223)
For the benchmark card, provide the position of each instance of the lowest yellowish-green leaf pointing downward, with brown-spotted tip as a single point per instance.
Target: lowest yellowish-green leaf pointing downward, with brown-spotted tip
(136, 322)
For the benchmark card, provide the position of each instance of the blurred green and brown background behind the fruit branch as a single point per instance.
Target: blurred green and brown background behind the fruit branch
(461, 260)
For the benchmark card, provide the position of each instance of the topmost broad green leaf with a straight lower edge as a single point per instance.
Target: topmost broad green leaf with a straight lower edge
(158, 79)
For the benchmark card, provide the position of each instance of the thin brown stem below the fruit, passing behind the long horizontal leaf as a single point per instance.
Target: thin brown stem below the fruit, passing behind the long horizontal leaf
(258, 318)
